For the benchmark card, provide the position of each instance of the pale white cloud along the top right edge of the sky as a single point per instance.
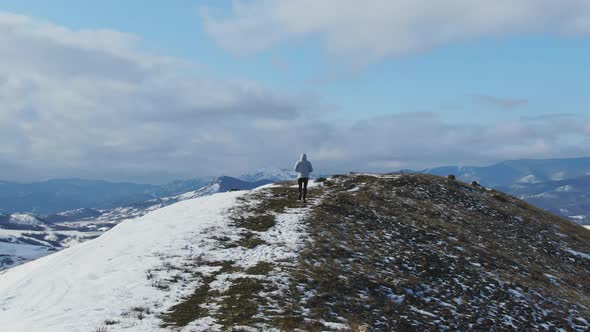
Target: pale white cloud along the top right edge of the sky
(366, 31)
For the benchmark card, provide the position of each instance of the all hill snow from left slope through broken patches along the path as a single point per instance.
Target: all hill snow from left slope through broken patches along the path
(80, 287)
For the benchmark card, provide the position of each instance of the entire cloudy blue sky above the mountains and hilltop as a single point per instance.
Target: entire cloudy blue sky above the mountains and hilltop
(151, 91)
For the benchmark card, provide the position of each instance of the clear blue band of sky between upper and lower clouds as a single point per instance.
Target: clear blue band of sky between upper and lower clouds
(535, 67)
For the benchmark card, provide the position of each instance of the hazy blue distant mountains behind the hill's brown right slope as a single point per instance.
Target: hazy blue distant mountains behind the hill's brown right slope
(518, 171)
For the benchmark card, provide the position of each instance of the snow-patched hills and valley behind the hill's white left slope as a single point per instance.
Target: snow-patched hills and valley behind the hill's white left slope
(46, 234)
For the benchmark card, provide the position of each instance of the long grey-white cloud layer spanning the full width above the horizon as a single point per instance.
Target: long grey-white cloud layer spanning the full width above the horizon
(95, 103)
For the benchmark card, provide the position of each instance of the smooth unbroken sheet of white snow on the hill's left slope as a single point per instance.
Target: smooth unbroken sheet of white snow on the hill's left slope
(78, 288)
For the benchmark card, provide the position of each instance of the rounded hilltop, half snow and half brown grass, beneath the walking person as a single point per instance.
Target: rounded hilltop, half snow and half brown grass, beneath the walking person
(390, 252)
